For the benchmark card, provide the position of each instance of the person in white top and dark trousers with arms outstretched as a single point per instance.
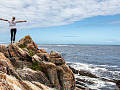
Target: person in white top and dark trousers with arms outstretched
(12, 25)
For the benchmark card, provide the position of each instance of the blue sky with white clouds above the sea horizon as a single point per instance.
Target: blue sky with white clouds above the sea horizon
(63, 21)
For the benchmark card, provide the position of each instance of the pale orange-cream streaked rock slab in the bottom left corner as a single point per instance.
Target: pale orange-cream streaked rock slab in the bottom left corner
(8, 82)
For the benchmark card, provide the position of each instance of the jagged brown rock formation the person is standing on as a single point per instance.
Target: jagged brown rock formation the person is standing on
(23, 66)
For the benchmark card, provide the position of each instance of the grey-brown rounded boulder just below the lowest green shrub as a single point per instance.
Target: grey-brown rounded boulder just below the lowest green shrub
(31, 75)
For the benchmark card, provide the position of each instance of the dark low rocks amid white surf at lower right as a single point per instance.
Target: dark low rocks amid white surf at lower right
(83, 83)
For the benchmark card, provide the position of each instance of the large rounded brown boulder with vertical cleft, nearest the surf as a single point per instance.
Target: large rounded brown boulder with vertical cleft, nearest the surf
(61, 77)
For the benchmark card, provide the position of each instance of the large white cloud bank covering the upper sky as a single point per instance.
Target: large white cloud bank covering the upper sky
(46, 13)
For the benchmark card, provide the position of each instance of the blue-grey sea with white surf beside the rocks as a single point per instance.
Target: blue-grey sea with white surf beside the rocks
(101, 60)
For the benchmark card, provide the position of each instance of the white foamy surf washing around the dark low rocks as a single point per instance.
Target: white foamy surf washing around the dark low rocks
(98, 71)
